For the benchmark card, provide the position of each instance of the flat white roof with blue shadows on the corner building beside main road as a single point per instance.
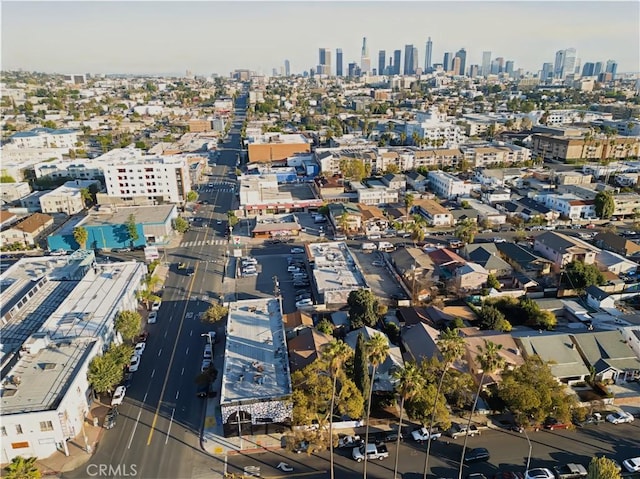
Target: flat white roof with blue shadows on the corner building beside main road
(256, 364)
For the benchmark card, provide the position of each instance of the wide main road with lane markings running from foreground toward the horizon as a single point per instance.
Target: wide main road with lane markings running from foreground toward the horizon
(159, 425)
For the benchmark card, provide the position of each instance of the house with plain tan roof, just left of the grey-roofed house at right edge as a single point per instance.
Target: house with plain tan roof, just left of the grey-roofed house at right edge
(559, 351)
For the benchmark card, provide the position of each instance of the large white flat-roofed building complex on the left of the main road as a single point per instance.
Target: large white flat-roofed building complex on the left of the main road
(57, 315)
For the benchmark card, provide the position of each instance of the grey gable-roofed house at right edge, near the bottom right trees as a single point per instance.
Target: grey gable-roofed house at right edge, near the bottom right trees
(608, 355)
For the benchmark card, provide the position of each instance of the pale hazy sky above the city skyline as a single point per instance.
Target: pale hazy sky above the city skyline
(217, 37)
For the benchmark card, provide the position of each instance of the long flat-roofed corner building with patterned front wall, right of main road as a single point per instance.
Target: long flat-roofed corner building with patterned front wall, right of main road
(255, 396)
